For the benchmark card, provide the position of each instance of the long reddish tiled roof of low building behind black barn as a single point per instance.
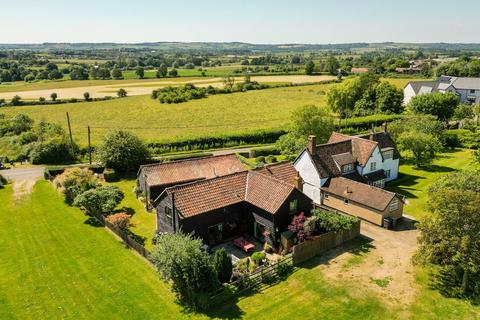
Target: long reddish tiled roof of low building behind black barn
(192, 169)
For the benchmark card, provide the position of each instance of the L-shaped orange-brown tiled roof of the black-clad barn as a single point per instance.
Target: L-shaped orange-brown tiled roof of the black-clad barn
(263, 191)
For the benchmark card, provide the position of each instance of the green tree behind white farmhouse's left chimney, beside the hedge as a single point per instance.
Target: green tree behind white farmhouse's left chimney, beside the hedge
(307, 120)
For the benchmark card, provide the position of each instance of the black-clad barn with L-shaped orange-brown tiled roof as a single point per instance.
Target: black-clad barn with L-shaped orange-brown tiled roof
(258, 202)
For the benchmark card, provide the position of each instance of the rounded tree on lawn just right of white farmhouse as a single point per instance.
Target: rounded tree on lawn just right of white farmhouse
(423, 146)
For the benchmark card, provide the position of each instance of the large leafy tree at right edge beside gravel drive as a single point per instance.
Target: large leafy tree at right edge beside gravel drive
(449, 236)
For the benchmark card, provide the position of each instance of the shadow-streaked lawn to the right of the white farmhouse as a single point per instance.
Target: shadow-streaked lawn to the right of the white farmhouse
(413, 182)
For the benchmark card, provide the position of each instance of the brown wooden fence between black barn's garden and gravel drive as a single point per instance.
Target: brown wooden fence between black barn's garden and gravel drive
(319, 244)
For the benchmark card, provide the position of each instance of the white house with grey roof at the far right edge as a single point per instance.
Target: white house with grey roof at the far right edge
(467, 89)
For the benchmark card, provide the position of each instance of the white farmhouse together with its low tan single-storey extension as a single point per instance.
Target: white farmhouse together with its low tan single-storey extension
(349, 172)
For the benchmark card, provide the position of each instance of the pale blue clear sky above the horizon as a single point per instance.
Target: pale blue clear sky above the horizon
(253, 21)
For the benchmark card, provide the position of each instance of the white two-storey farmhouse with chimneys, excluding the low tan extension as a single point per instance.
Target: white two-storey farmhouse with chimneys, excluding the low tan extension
(371, 159)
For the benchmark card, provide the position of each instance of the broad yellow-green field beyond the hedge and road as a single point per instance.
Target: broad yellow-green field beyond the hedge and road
(153, 121)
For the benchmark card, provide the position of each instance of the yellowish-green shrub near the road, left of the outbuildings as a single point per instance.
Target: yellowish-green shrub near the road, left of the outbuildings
(75, 181)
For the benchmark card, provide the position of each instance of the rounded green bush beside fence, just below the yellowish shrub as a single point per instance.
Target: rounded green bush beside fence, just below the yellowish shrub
(101, 200)
